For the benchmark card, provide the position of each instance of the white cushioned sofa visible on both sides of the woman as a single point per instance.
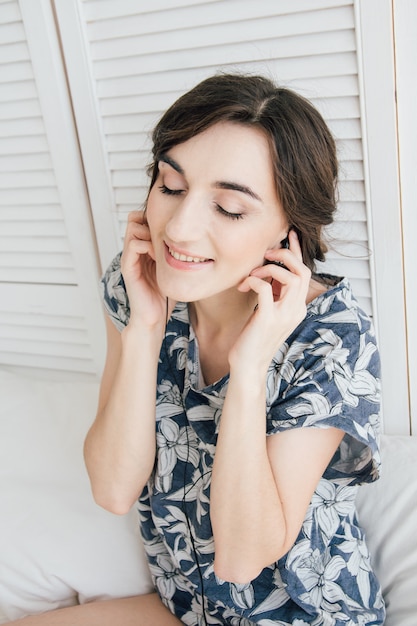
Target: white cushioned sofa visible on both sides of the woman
(57, 548)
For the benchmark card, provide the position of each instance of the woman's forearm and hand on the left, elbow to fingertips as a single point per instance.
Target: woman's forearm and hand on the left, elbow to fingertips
(120, 446)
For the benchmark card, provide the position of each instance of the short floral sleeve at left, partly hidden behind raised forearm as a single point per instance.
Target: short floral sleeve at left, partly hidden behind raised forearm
(115, 298)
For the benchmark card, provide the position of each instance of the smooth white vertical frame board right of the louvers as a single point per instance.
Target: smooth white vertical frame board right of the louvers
(379, 120)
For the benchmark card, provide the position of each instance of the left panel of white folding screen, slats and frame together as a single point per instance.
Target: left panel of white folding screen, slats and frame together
(49, 305)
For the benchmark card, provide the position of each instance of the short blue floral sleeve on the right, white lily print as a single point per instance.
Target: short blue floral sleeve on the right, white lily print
(329, 376)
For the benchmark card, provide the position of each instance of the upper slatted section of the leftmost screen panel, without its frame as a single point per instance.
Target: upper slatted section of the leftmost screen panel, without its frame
(27, 179)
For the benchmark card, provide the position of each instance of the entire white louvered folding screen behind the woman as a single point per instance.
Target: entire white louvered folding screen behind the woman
(82, 84)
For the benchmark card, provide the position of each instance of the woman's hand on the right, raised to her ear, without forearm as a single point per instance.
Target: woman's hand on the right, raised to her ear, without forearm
(282, 294)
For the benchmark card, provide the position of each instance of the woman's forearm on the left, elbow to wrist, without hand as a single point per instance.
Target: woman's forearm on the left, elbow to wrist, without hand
(120, 447)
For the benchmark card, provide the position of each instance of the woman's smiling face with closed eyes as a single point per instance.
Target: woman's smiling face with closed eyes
(213, 212)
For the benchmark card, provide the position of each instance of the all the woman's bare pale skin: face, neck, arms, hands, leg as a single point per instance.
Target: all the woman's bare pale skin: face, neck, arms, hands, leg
(212, 219)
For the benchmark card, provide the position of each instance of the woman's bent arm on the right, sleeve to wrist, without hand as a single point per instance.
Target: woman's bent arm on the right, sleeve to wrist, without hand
(261, 486)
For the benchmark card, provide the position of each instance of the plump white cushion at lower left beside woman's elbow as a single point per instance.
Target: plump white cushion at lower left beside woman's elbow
(57, 547)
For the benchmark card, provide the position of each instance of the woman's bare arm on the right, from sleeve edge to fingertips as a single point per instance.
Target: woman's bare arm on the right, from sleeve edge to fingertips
(261, 487)
